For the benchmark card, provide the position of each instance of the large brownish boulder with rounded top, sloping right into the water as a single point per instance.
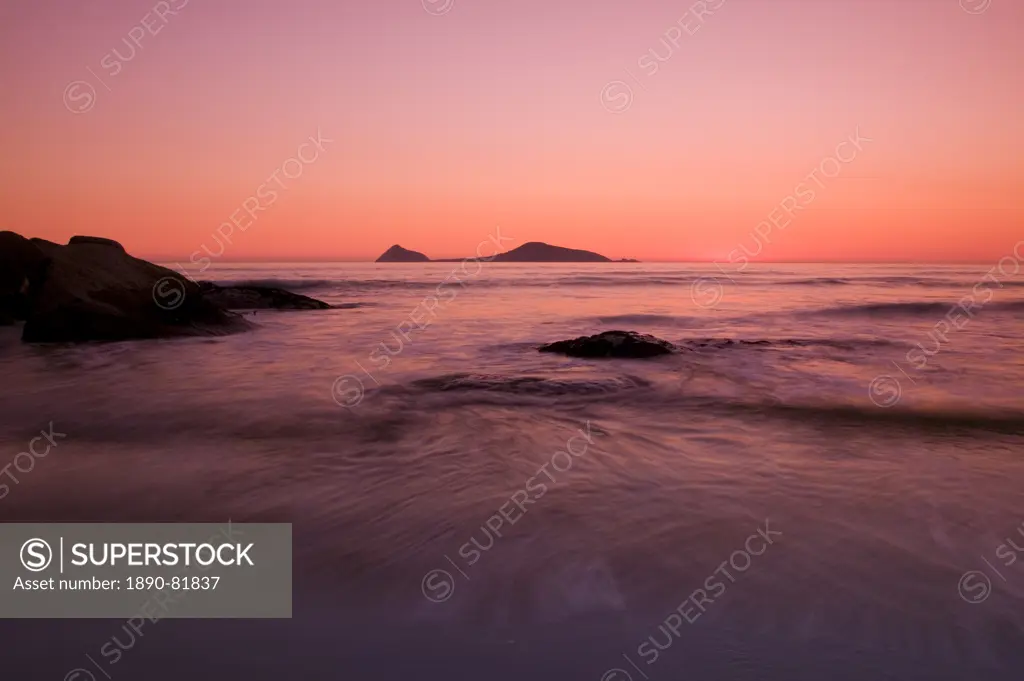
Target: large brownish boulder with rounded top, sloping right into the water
(92, 290)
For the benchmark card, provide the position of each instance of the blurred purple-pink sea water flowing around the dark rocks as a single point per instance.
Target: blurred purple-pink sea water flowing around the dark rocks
(827, 482)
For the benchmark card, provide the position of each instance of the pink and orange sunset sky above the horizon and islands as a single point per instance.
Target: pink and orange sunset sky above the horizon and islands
(653, 130)
